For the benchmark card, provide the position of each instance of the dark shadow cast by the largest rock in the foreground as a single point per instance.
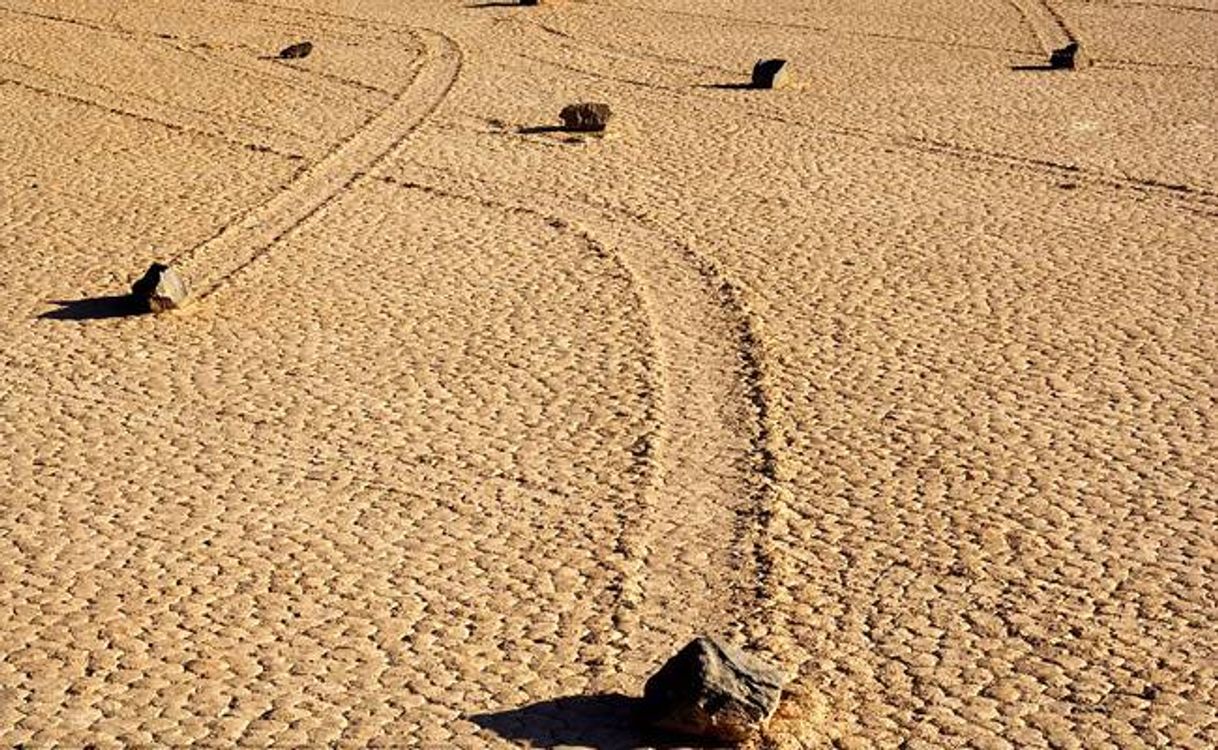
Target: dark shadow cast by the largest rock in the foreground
(605, 723)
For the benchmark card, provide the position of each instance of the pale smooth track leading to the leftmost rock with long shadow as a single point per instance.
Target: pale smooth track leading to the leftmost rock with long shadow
(239, 243)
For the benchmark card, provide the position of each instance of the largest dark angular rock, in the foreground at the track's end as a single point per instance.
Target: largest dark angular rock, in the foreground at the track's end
(713, 692)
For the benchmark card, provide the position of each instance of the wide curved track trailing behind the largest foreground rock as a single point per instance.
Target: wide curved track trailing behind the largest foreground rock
(697, 541)
